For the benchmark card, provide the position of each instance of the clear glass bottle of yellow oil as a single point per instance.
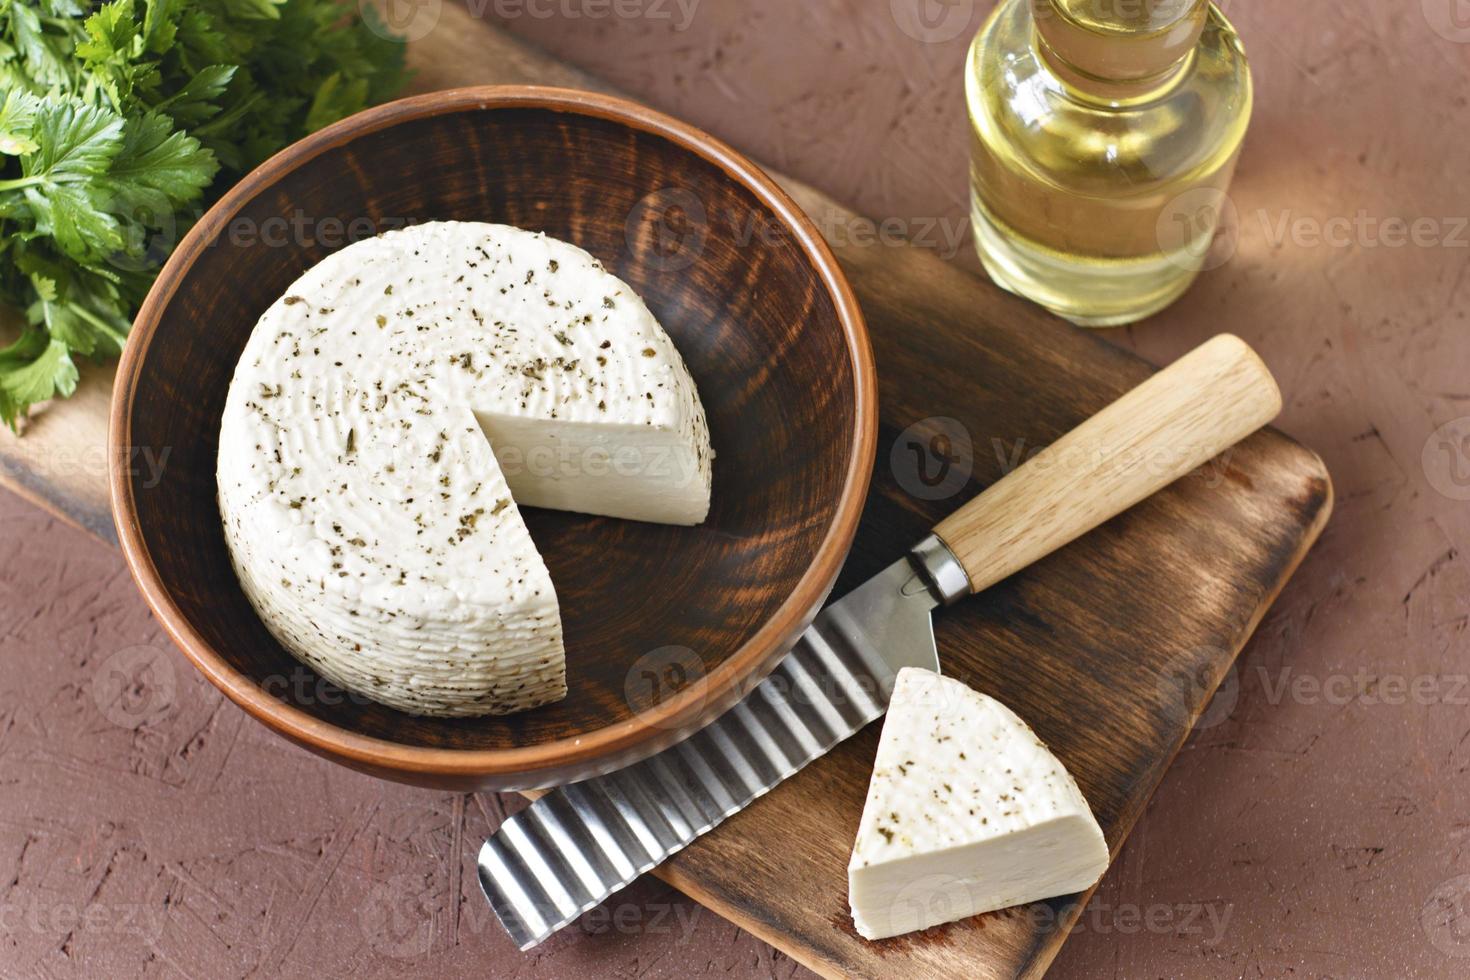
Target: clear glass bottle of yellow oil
(1105, 139)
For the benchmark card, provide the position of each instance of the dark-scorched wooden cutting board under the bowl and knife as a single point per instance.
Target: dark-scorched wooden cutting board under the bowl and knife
(1111, 649)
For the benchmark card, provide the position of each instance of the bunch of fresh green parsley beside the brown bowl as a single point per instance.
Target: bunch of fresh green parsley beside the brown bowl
(120, 123)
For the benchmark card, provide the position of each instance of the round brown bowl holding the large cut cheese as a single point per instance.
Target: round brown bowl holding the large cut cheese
(665, 627)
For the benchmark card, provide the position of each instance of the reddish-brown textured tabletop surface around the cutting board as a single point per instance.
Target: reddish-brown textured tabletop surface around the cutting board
(151, 829)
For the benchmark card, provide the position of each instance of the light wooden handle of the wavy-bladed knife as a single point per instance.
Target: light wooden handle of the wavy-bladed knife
(1161, 431)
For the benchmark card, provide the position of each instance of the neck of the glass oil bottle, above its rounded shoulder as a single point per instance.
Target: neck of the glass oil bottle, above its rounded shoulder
(1118, 51)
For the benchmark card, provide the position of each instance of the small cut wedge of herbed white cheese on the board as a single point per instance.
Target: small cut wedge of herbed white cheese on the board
(968, 812)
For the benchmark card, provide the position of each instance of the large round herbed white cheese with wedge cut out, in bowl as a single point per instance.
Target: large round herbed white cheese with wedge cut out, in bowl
(387, 415)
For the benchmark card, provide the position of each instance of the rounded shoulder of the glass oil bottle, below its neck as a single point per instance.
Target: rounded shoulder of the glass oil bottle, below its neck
(1017, 104)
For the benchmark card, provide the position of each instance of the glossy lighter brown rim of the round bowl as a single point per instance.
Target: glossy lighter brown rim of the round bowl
(624, 743)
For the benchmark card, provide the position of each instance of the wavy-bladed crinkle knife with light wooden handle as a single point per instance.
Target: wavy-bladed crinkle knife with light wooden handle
(580, 844)
